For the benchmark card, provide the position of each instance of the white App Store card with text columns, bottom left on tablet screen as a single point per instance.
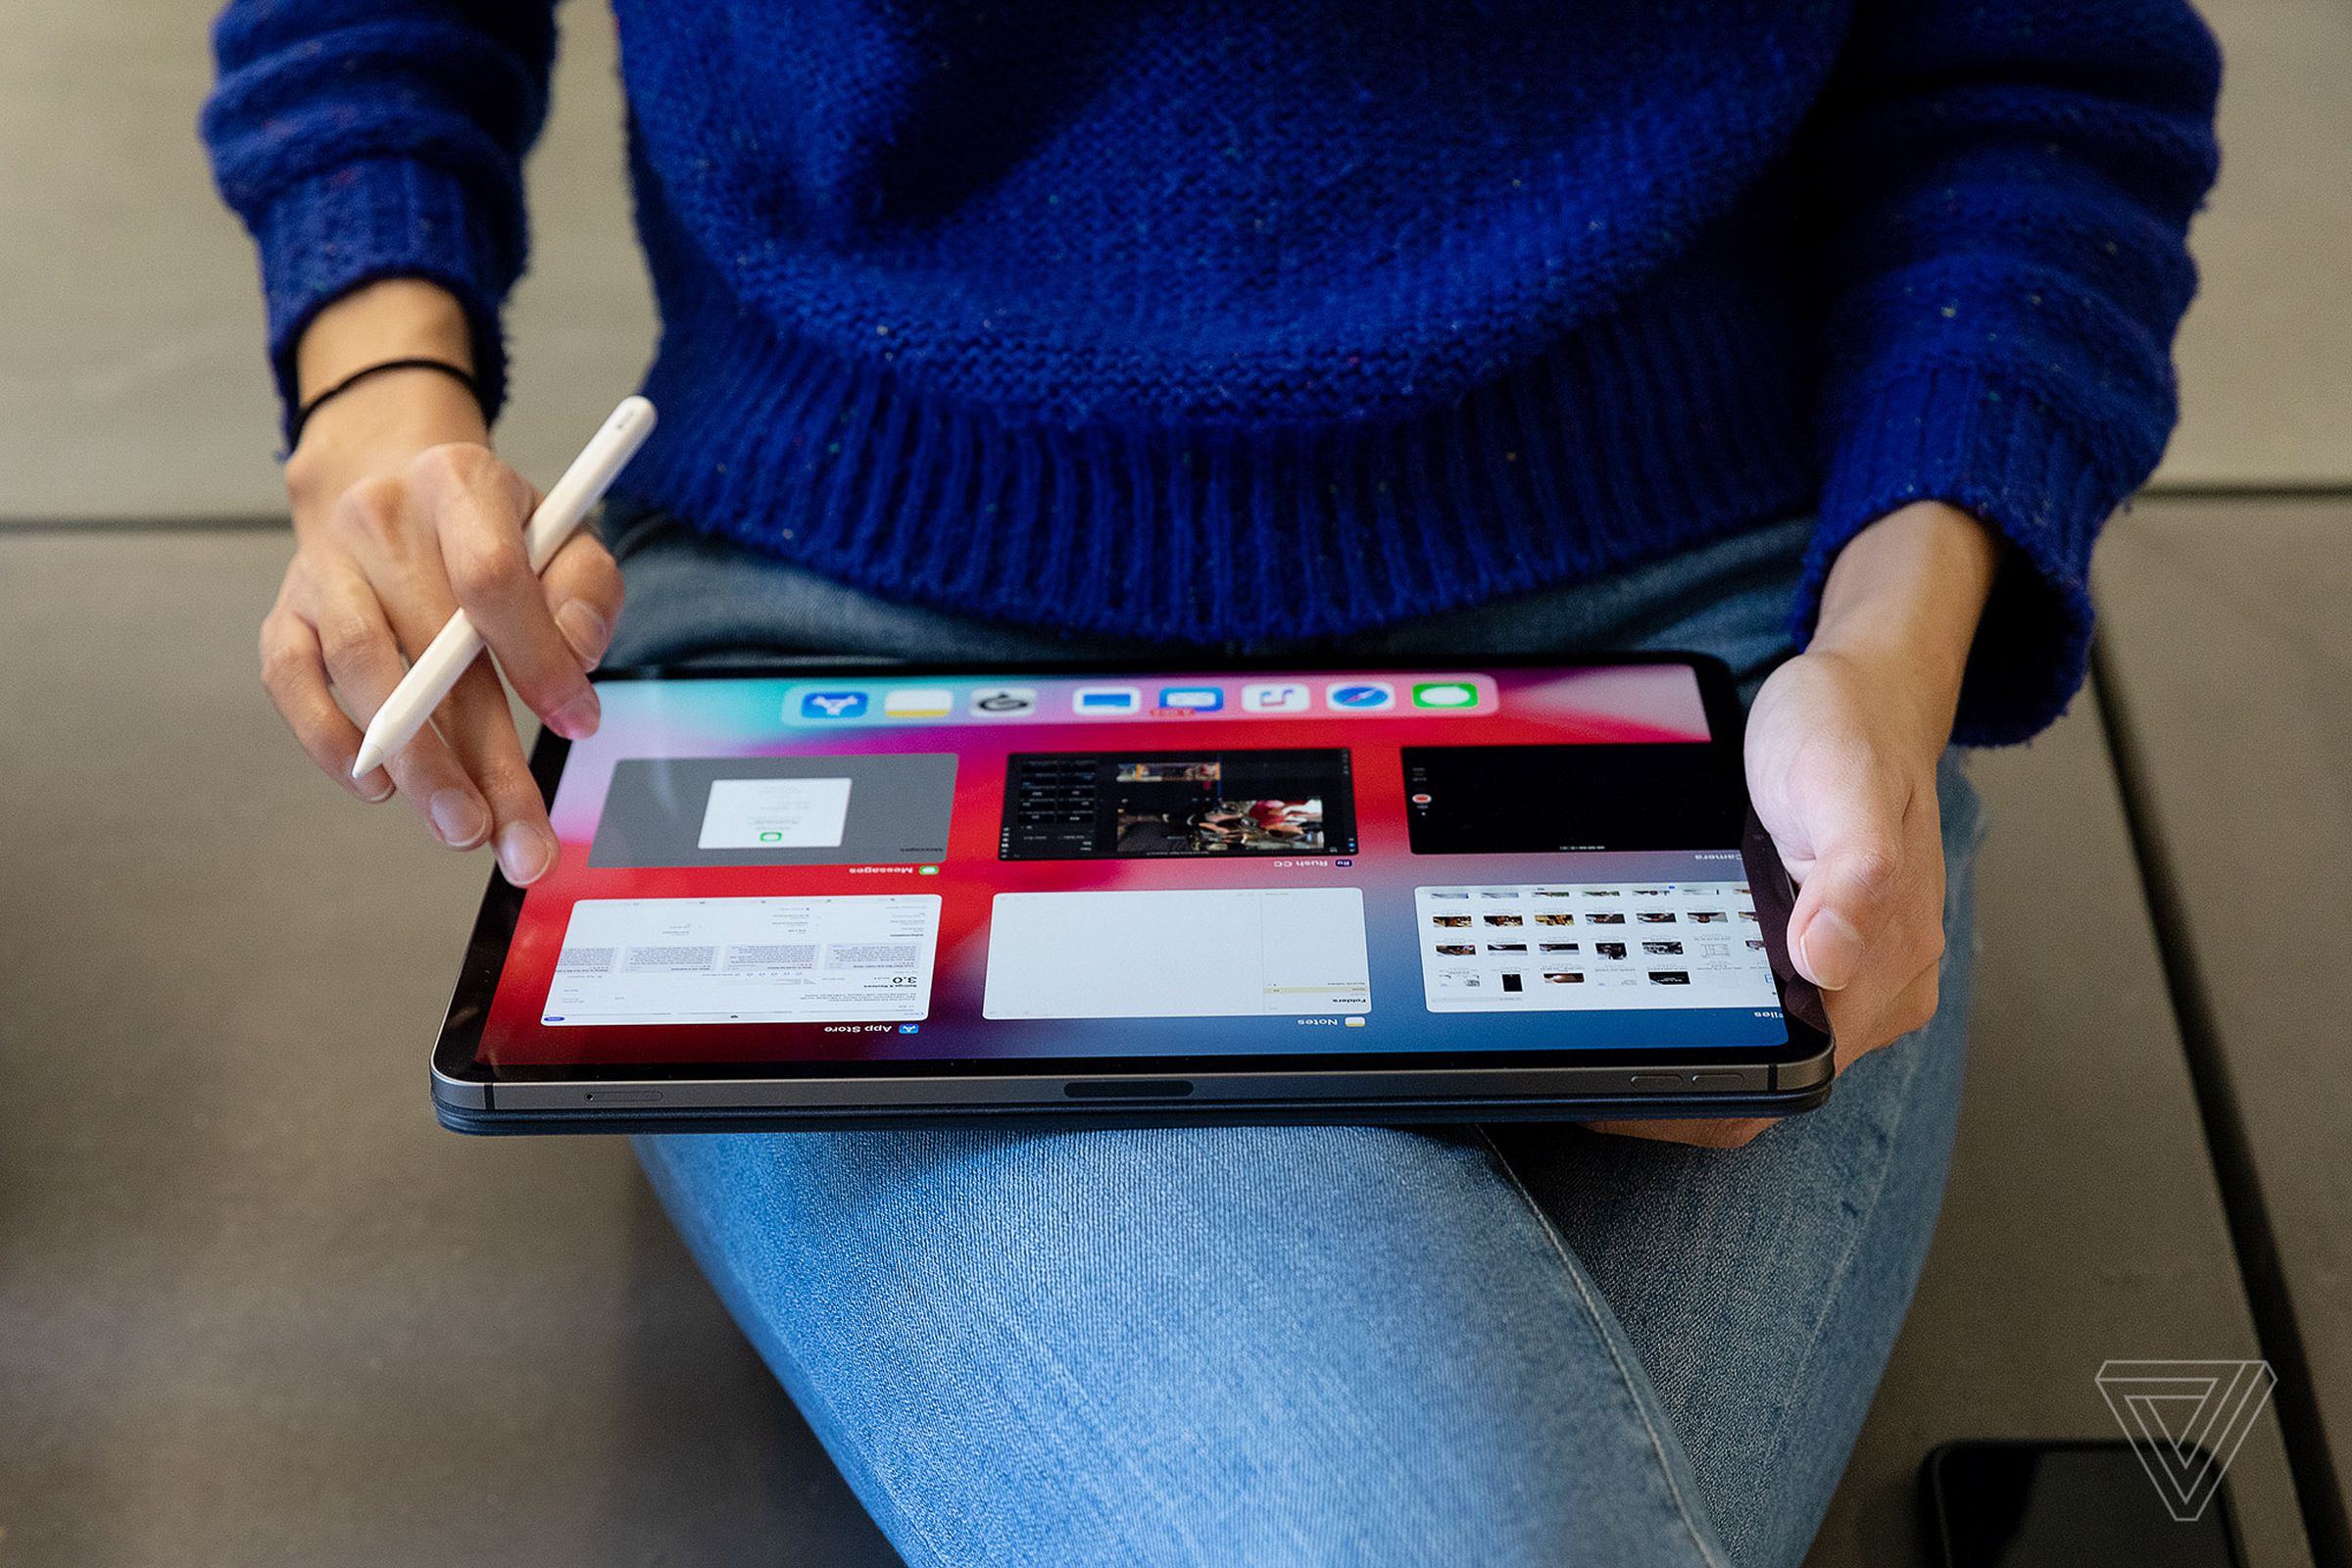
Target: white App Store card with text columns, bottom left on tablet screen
(744, 960)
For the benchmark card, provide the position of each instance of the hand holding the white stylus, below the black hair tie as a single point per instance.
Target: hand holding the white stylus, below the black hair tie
(403, 516)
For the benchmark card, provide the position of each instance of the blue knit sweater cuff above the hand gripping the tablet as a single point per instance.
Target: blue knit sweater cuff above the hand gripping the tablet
(1956, 436)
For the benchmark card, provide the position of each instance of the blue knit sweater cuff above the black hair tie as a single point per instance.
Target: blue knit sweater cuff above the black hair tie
(330, 234)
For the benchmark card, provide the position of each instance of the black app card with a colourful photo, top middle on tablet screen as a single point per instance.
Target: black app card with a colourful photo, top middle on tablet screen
(1177, 803)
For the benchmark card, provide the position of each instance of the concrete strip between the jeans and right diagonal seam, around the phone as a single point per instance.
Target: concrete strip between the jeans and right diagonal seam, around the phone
(2083, 1219)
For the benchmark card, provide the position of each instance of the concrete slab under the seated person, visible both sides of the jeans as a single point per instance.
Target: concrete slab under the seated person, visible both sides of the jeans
(258, 1308)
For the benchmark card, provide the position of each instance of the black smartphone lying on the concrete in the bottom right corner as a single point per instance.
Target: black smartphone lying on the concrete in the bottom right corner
(2064, 1506)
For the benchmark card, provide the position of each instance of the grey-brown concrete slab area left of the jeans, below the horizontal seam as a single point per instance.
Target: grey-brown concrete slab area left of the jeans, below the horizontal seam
(255, 1306)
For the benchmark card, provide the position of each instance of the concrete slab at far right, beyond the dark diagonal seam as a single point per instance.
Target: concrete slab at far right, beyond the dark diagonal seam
(2229, 659)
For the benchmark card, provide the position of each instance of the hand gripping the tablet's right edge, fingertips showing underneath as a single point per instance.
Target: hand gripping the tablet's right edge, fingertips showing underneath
(1843, 749)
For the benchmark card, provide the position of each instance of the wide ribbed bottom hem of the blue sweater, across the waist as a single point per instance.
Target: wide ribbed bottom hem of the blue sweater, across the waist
(1626, 443)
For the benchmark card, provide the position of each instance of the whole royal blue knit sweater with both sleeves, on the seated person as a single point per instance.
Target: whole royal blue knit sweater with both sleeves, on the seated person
(1227, 321)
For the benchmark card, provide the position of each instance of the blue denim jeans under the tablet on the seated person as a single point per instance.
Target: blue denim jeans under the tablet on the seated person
(1325, 1346)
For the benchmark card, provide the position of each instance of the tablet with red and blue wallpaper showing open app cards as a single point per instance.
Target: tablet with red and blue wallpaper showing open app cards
(886, 894)
